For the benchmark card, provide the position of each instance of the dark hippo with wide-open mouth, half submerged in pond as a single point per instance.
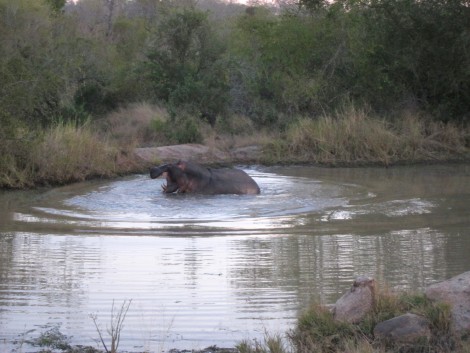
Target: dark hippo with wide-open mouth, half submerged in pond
(189, 177)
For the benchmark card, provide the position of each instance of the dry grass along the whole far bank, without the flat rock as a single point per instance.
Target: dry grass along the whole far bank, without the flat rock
(68, 152)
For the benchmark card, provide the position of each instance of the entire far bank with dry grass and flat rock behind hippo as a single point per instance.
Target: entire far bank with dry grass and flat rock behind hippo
(67, 152)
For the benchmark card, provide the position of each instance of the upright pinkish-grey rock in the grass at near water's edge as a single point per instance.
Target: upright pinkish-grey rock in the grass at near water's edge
(354, 305)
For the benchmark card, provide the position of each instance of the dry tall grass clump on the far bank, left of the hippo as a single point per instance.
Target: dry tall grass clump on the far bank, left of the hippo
(66, 152)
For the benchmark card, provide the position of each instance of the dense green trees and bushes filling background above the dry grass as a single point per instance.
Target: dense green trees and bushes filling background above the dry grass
(64, 61)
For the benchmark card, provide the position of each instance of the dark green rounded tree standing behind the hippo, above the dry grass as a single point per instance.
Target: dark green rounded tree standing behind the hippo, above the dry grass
(186, 64)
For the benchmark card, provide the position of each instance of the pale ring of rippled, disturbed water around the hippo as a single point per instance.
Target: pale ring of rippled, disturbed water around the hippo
(138, 205)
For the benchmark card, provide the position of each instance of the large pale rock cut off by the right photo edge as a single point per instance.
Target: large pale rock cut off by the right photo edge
(456, 292)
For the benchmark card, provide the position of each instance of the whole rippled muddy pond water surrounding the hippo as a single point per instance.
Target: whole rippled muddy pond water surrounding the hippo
(205, 270)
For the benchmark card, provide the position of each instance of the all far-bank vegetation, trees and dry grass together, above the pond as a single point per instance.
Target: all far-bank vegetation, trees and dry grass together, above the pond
(344, 81)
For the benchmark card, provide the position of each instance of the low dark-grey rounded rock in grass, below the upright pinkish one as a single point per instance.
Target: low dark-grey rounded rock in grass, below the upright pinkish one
(404, 329)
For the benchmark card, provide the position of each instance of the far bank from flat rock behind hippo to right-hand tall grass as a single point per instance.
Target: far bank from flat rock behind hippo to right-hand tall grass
(348, 138)
